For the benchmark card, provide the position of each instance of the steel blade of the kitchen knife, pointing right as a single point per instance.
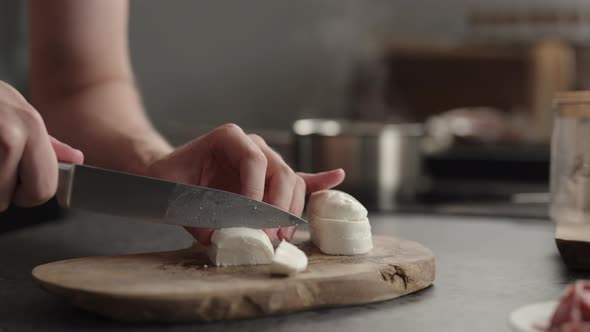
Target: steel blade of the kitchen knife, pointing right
(138, 197)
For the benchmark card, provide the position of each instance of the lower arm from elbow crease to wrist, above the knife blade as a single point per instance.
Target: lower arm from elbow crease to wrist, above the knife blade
(106, 121)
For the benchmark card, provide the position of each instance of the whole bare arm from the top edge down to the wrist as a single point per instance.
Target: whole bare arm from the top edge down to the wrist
(82, 82)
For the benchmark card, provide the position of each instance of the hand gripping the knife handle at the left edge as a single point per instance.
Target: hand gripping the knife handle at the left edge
(28, 155)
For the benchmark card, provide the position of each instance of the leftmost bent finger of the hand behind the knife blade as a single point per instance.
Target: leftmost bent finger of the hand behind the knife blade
(231, 143)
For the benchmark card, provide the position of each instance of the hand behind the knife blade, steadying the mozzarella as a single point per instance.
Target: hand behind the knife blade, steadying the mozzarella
(229, 159)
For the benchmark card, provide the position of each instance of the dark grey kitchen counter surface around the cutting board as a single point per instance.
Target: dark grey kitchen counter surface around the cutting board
(485, 268)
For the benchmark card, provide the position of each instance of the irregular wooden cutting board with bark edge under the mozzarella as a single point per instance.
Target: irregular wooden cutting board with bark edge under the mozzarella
(179, 286)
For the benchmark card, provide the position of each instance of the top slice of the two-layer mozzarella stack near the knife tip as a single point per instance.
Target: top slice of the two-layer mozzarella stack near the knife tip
(334, 204)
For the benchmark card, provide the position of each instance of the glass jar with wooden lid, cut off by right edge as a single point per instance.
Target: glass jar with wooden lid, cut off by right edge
(570, 158)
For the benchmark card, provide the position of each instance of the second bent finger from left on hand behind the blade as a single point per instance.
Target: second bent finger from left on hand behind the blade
(281, 178)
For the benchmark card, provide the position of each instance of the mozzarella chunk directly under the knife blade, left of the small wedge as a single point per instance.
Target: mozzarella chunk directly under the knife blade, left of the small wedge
(240, 246)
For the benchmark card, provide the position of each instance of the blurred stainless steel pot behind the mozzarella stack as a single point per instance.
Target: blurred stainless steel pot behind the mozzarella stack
(382, 161)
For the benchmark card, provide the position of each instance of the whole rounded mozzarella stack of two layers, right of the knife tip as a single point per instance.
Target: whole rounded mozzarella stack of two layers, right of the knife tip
(338, 224)
